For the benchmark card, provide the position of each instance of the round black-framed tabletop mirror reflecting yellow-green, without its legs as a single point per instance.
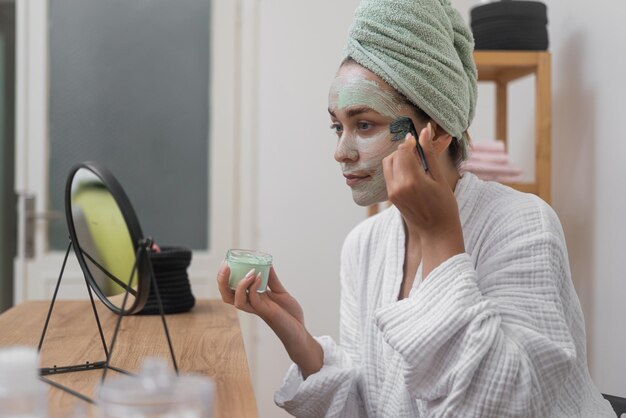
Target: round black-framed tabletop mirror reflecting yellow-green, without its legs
(106, 235)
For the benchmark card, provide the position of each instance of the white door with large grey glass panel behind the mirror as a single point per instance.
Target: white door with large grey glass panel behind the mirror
(147, 89)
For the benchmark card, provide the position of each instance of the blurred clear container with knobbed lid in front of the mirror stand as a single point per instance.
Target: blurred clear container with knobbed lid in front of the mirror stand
(157, 393)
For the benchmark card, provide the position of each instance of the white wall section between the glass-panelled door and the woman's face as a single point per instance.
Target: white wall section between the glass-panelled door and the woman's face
(305, 207)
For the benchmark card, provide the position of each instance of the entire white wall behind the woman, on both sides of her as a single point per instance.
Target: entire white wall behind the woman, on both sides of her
(305, 209)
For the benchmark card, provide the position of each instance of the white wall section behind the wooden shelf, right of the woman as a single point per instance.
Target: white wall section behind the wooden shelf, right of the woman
(588, 44)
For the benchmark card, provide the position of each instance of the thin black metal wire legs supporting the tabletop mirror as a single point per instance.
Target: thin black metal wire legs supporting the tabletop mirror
(142, 251)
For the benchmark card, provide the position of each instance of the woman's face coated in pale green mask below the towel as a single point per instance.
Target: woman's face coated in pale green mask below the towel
(361, 107)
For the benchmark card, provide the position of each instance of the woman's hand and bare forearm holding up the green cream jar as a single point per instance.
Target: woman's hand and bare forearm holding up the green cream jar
(279, 310)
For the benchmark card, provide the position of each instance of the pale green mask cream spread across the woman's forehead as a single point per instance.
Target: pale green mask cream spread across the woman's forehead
(353, 90)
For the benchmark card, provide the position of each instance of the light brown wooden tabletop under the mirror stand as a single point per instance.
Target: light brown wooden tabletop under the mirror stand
(206, 340)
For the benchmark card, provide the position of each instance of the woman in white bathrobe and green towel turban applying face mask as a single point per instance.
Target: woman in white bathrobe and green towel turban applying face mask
(457, 300)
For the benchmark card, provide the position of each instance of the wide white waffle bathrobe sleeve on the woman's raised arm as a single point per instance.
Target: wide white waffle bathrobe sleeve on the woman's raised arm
(489, 339)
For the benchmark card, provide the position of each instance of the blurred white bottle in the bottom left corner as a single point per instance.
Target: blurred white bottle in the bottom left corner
(22, 394)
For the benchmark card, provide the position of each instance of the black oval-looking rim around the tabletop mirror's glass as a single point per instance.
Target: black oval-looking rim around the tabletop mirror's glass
(128, 213)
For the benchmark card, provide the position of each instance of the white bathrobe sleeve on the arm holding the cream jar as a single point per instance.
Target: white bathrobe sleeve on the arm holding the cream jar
(333, 390)
